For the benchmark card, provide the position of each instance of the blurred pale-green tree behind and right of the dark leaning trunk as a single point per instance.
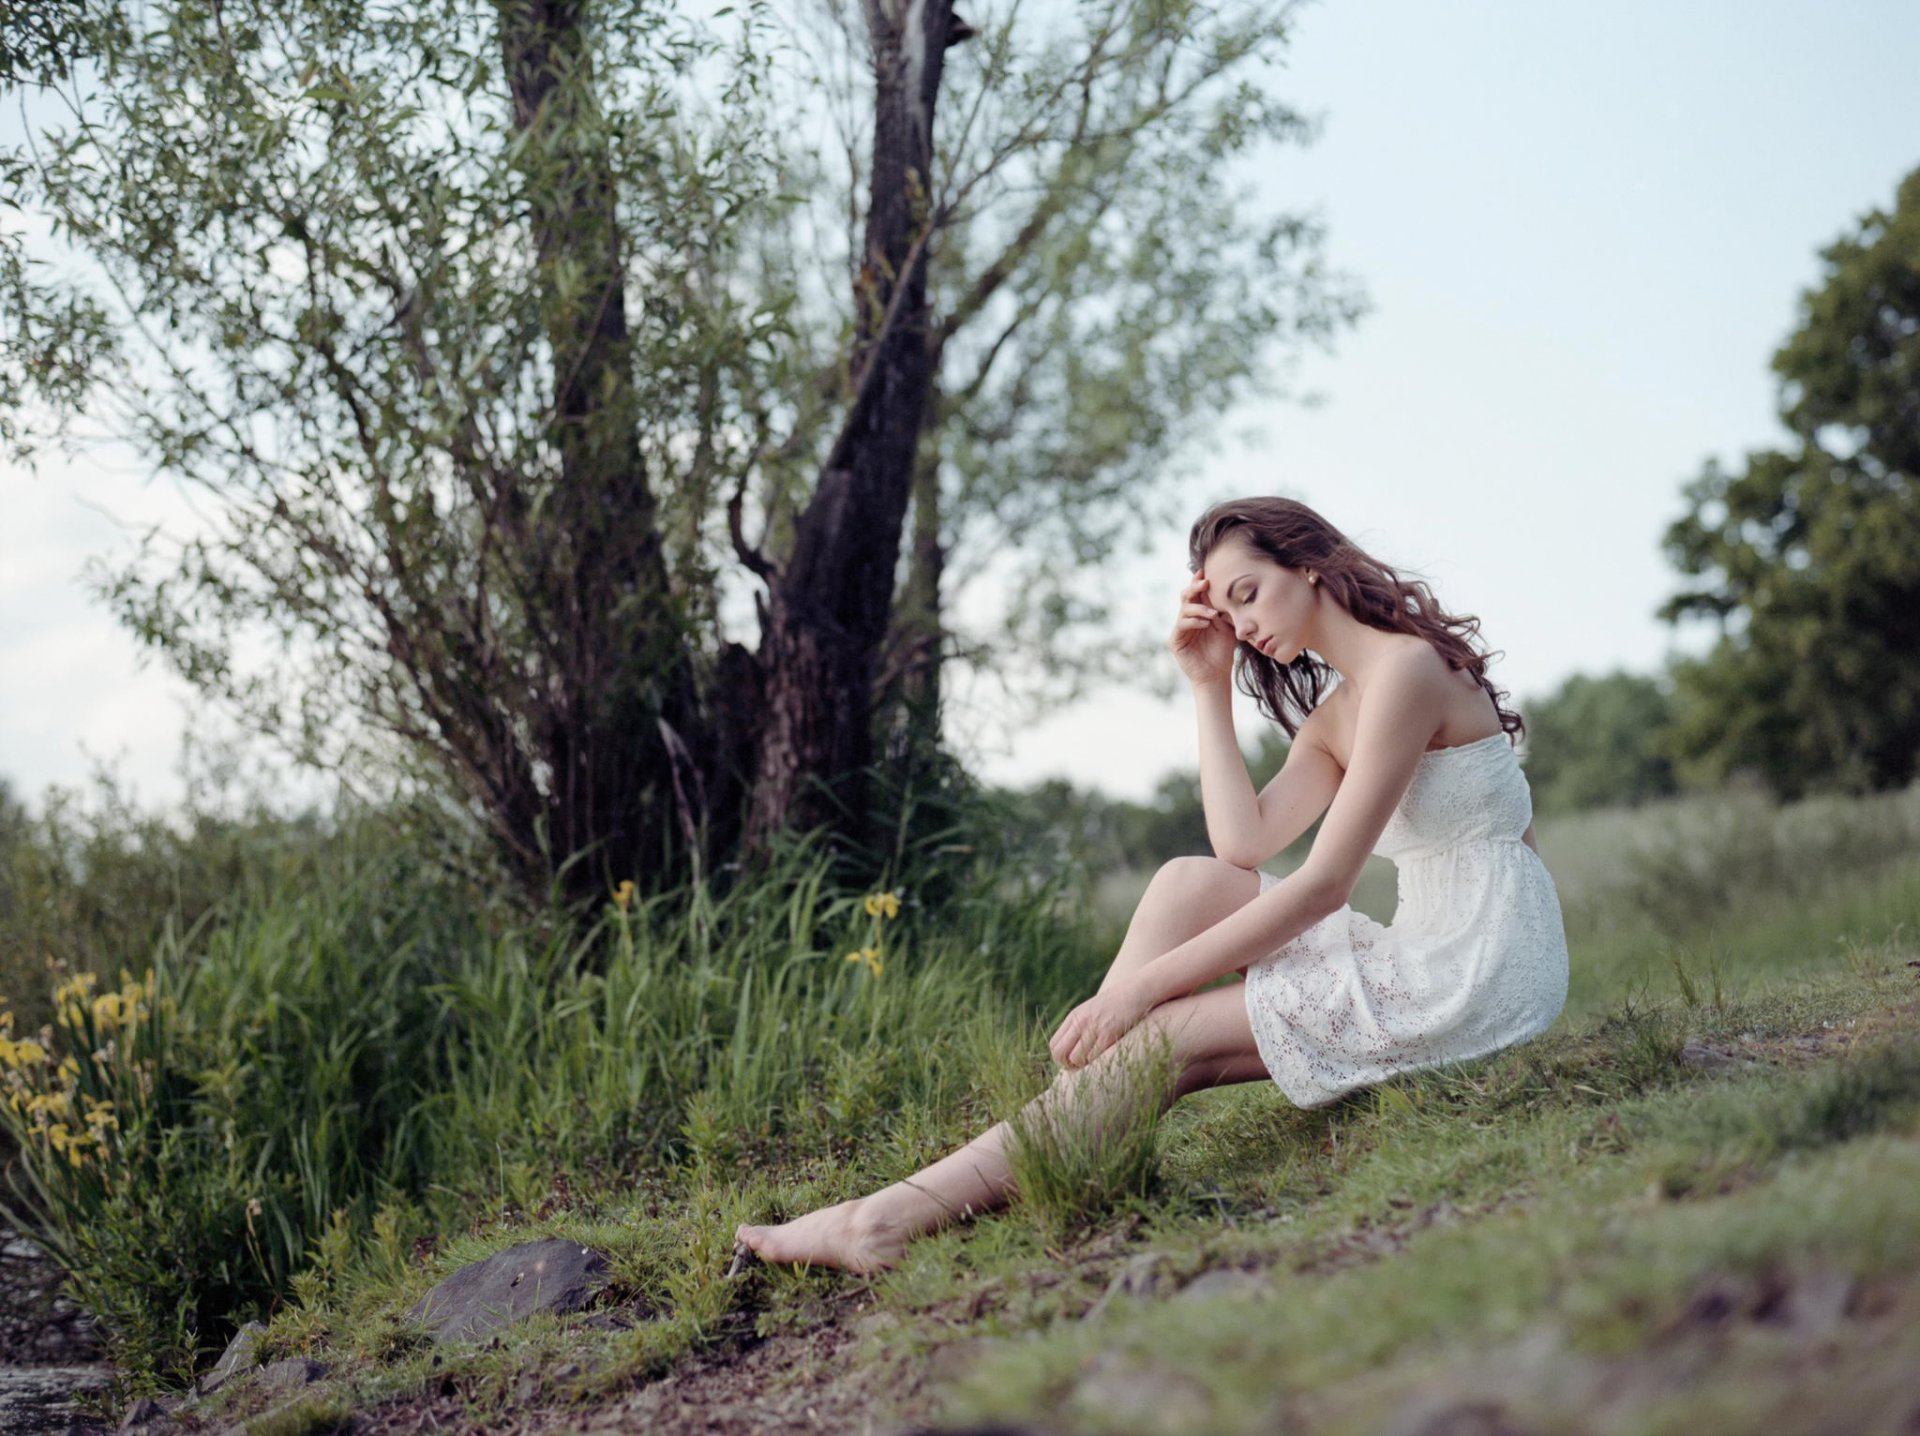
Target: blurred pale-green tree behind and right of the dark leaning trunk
(1103, 291)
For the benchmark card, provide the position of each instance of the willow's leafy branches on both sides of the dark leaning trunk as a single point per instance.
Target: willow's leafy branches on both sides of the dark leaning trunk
(489, 327)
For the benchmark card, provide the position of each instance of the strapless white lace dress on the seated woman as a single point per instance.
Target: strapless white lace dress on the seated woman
(1474, 961)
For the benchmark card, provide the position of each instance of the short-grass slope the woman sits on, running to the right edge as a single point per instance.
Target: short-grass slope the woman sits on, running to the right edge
(1692, 1207)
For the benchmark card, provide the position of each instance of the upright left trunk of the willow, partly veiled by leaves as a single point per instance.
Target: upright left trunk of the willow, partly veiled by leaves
(617, 721)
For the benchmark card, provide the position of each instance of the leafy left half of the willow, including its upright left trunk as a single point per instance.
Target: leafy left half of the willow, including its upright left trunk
(429, 302)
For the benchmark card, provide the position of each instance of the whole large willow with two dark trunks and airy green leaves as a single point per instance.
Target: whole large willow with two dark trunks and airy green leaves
(489, 333)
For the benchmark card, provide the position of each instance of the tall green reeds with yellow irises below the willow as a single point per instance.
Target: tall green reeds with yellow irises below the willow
(360, 1049)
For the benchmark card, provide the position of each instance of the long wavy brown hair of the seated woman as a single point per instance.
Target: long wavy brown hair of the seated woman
(1299, 538)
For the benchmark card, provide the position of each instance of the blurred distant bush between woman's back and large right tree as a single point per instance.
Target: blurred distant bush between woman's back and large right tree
(1593, 744)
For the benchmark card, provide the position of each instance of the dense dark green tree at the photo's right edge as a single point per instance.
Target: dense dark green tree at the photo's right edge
(1812, 552)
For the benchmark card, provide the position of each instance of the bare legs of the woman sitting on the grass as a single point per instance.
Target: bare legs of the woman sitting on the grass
(1212, 1045)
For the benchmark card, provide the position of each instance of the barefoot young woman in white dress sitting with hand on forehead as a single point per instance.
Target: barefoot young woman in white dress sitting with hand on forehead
(1408, 757)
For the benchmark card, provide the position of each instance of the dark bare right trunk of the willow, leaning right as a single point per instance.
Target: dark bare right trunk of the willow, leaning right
(830, 606)
